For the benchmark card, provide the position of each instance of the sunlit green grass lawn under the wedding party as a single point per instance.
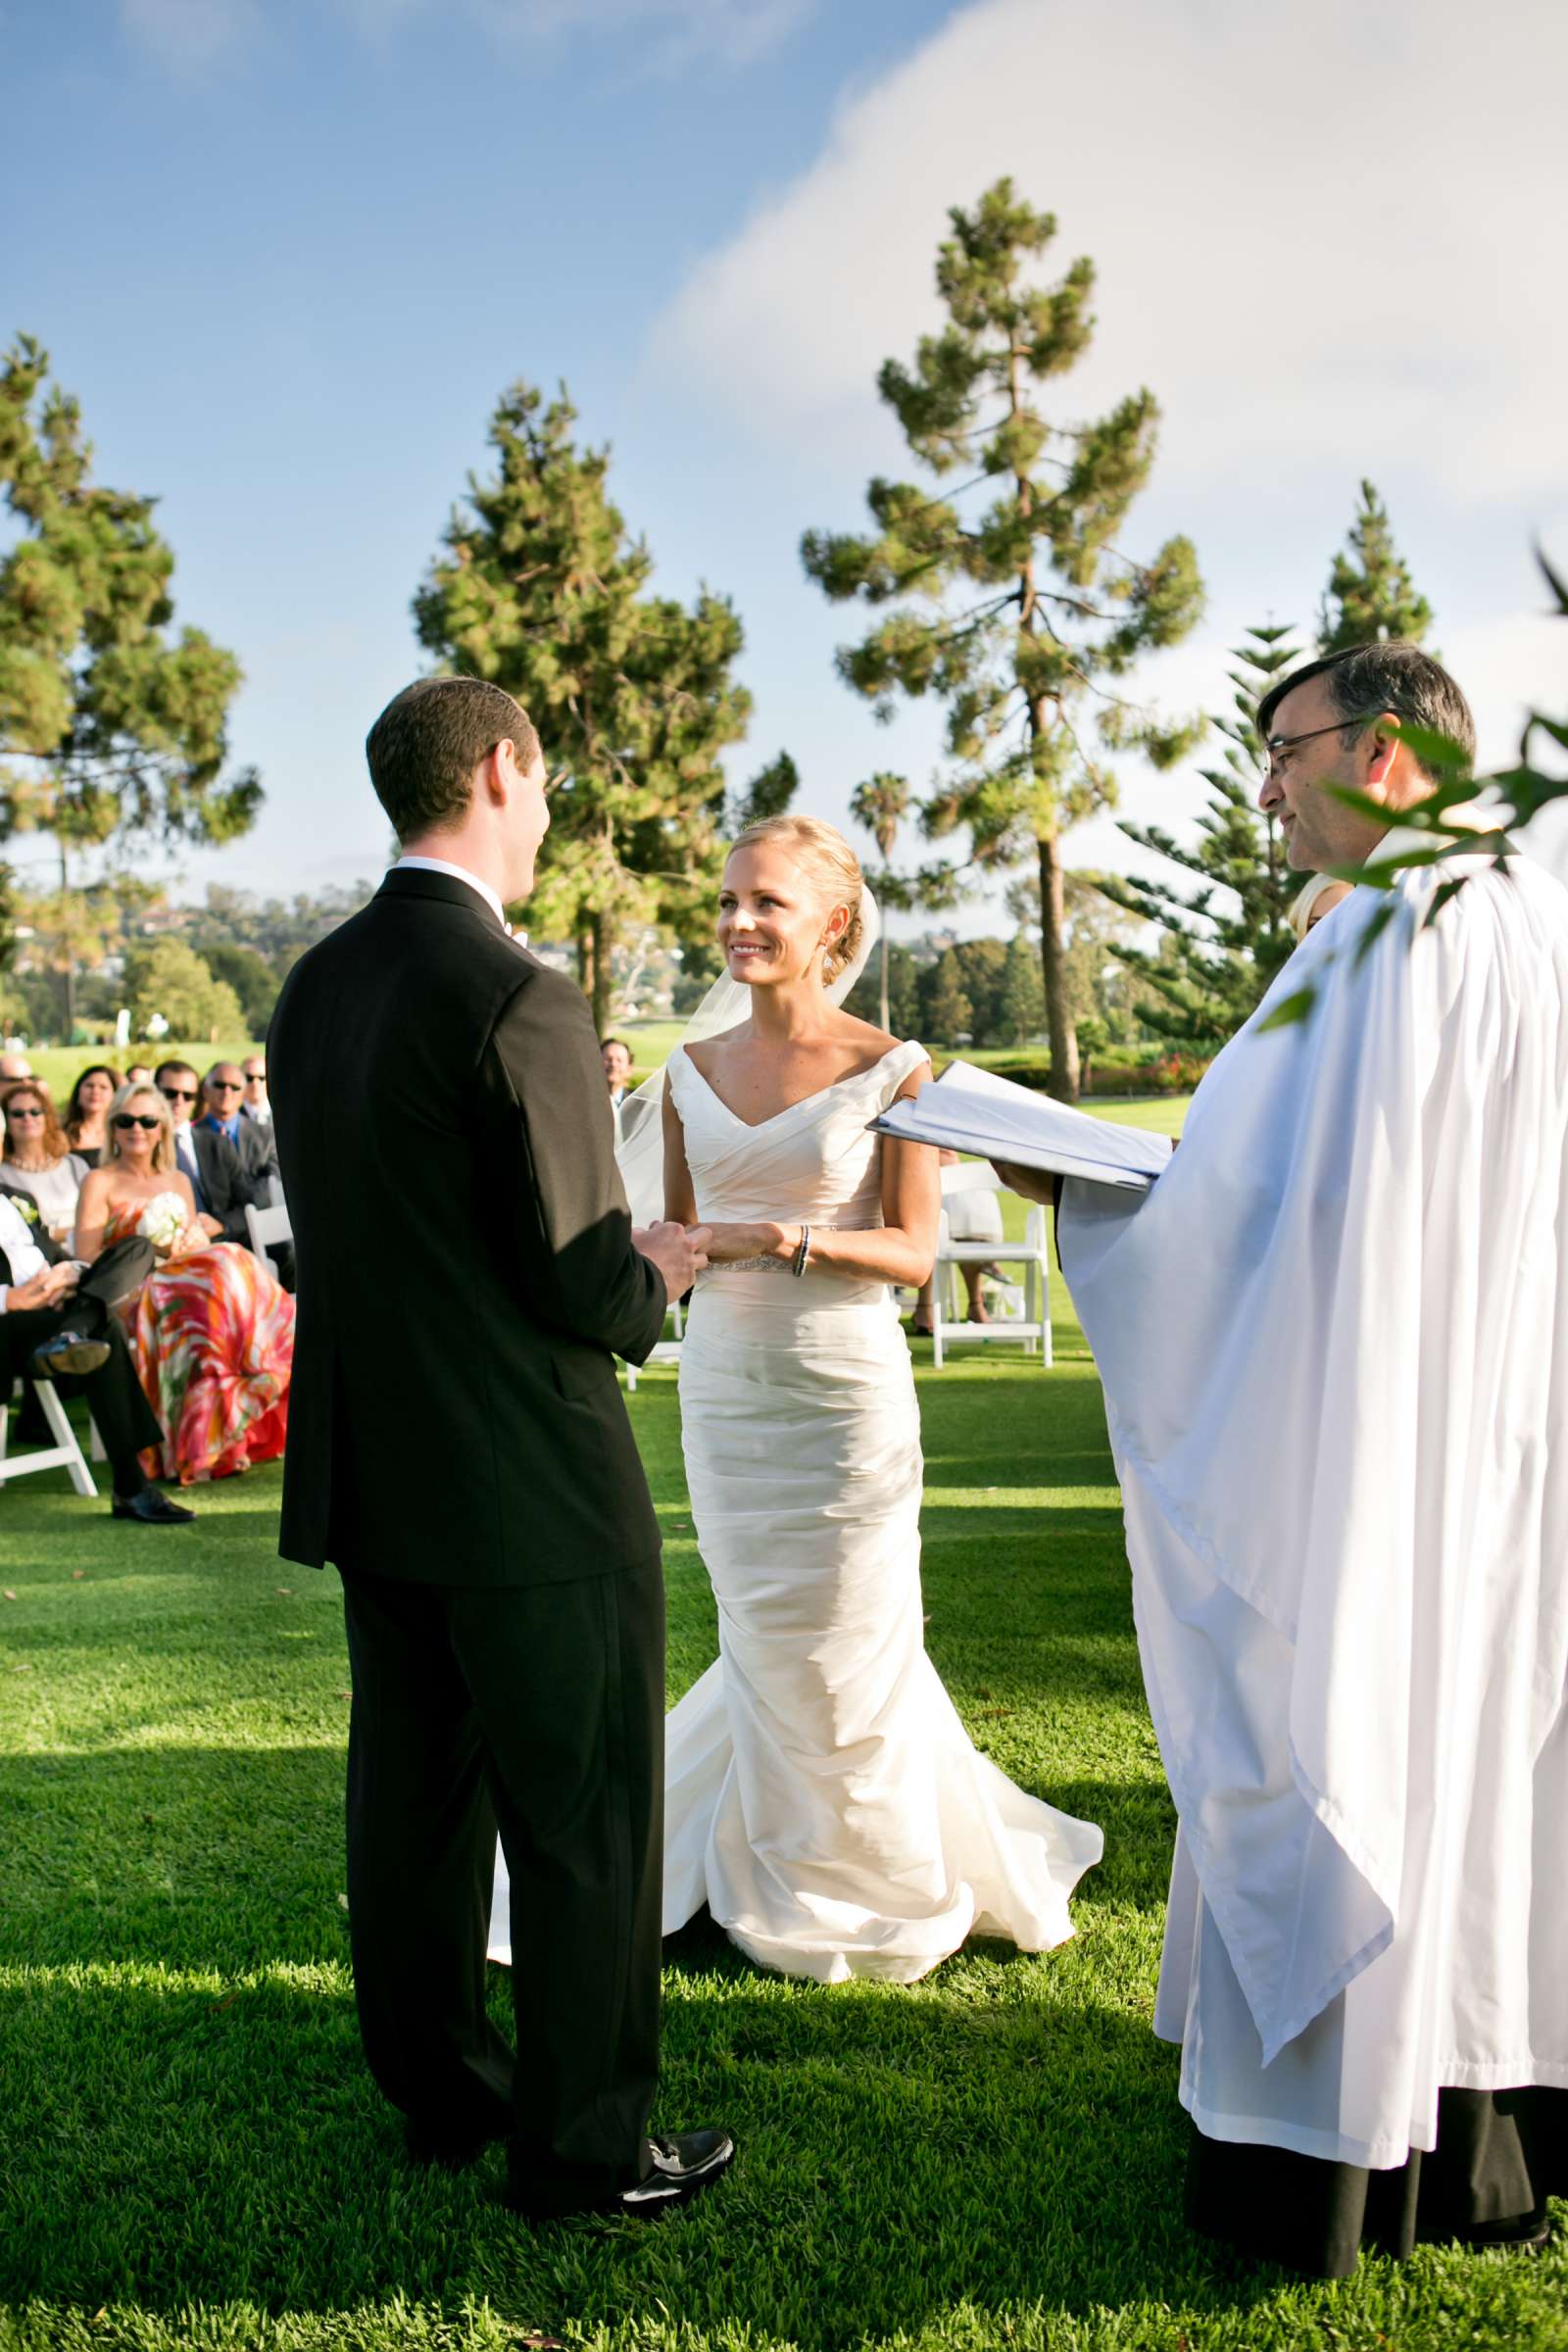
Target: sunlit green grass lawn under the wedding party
(192, 2151)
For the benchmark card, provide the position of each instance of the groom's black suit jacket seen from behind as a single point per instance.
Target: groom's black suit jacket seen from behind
(464, 1257)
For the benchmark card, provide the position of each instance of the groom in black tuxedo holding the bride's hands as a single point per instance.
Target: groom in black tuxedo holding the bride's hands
(460, 1450)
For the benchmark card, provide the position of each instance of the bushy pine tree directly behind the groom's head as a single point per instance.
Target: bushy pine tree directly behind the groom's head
(544, 592)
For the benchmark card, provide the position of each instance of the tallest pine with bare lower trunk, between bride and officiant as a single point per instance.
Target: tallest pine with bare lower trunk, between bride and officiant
(1021, 613)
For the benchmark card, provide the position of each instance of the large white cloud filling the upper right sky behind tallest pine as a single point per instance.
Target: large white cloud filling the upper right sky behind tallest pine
(1329, 243)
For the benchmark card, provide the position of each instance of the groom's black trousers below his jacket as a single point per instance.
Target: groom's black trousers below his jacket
(537, 1709)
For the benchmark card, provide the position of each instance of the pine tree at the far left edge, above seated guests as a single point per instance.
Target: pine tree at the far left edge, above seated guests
(109, 726)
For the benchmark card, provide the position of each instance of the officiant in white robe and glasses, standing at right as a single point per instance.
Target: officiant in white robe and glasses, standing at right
(1334, 1342)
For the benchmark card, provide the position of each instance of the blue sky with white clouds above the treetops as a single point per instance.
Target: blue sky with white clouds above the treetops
(290, 250)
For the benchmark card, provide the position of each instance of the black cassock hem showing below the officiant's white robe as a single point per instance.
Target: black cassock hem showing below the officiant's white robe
(1499, 2158)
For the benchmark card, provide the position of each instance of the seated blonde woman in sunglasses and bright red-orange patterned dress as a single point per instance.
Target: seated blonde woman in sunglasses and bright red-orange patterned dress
(213, 1332)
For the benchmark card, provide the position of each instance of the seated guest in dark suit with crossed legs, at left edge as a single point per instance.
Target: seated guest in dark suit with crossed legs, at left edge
(58, 1325)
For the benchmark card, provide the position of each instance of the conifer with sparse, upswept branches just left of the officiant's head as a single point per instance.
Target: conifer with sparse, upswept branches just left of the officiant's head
(1226, 940)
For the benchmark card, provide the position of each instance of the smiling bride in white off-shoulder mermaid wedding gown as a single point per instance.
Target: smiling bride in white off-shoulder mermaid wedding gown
(822, 1793)
